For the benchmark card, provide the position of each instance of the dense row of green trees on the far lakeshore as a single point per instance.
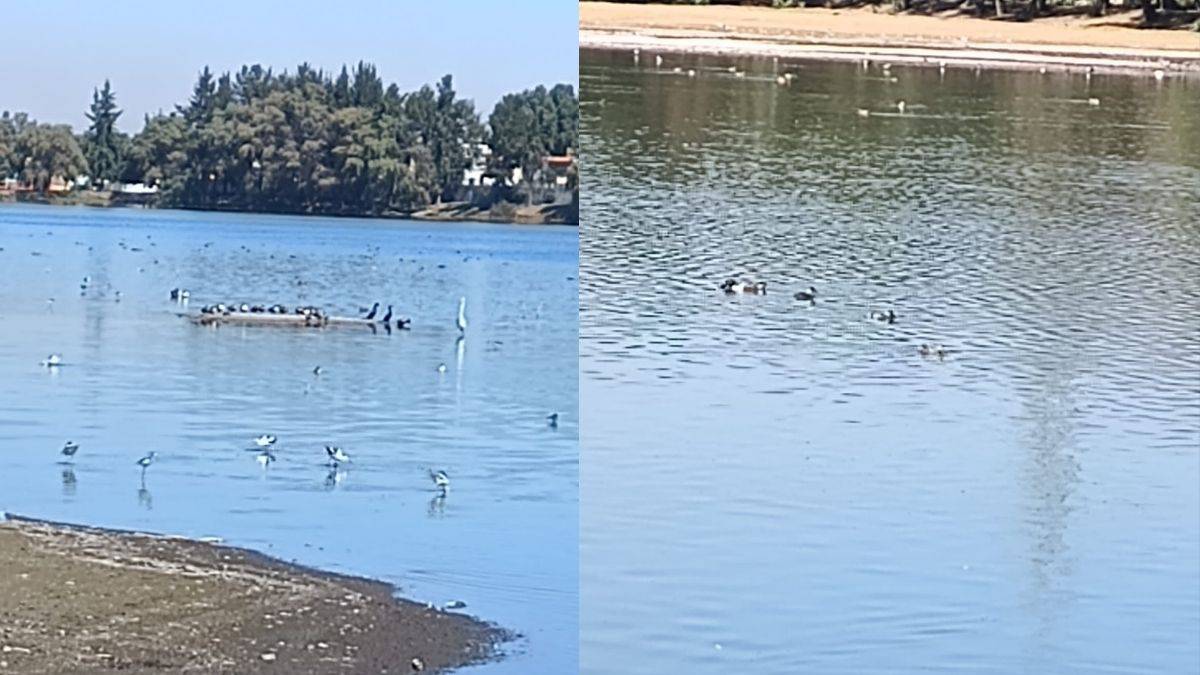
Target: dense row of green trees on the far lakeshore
(302, 142)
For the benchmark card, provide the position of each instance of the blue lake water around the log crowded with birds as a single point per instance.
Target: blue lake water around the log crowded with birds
(140, 379)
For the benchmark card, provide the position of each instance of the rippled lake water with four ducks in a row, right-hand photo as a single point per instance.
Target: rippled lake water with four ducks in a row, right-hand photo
(776, 487)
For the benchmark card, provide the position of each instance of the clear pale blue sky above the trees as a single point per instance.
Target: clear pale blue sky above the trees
(57, 51)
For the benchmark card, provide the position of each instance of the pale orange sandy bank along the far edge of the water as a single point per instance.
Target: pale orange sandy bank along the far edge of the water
(1106, 44)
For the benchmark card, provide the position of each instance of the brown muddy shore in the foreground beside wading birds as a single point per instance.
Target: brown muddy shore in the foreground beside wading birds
(79, 600)
